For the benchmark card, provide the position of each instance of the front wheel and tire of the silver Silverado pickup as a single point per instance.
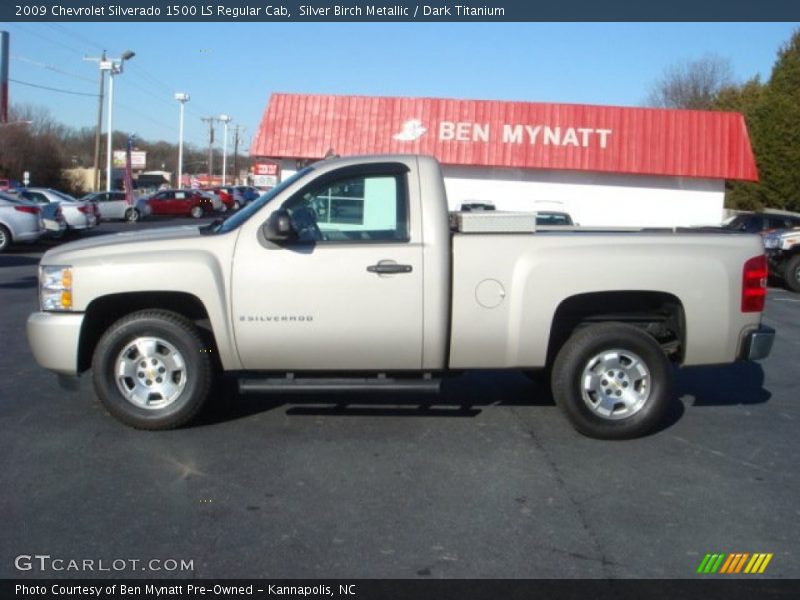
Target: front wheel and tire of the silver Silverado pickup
(170, 345)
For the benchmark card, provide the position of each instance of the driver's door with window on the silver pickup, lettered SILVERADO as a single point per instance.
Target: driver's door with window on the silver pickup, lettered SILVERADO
(347, 293)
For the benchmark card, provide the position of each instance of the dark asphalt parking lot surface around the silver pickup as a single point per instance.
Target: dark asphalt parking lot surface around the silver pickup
(487, 480)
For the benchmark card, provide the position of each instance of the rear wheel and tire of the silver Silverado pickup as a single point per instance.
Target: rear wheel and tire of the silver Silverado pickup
(613, 381)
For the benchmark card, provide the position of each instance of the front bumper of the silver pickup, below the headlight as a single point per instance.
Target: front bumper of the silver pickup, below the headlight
(54, 338)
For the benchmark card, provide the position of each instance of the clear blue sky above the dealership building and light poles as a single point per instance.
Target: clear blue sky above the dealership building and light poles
(232, 68)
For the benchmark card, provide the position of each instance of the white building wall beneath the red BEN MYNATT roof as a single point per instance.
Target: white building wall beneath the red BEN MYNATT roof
(592, 199)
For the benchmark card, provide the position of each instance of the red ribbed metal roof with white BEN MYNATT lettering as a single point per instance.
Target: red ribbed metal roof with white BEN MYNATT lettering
(642, 141)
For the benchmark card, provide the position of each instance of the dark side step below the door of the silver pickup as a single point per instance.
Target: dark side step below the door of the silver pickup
(300, 385)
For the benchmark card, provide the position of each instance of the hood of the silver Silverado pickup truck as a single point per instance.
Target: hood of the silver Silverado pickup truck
(123, 243)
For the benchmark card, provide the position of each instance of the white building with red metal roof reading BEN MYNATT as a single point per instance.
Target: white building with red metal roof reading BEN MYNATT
(605, 165)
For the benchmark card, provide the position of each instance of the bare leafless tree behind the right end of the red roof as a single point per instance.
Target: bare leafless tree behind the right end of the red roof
(692, 84)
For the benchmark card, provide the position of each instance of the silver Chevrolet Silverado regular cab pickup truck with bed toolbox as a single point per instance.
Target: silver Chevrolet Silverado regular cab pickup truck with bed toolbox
(351, 275)
